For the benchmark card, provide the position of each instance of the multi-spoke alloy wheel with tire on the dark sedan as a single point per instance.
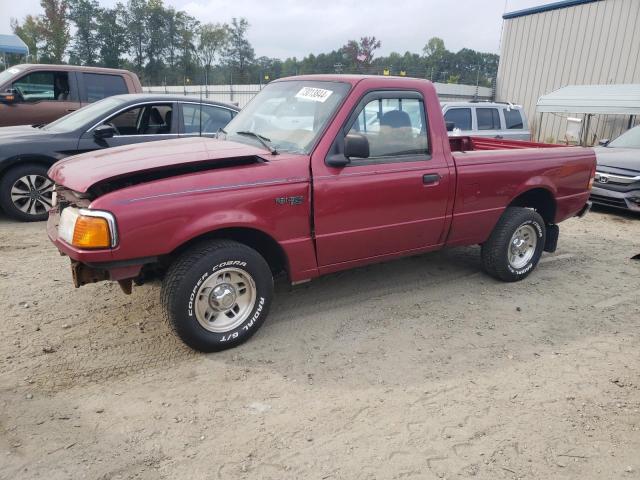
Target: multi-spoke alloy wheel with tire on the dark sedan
(26, 193)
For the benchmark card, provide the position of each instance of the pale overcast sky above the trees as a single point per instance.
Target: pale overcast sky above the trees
(288, 28)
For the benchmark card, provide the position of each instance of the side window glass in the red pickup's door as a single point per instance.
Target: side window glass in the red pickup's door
(393, 126)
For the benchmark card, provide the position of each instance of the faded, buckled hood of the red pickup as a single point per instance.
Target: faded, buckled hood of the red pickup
(81, 172)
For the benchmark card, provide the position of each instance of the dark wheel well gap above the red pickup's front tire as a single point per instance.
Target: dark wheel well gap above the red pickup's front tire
(264, 244)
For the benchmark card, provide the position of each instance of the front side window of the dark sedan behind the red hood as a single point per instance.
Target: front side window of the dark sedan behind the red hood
(154, 119)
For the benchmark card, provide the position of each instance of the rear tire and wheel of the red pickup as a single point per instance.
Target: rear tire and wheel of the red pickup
(515, 246)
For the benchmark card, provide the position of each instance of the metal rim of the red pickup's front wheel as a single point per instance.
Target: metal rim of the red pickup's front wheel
(225, 300)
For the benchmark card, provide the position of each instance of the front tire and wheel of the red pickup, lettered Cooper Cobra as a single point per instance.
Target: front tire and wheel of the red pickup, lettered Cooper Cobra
(216, 295)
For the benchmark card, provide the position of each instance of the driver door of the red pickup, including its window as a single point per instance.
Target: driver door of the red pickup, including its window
(392, 202)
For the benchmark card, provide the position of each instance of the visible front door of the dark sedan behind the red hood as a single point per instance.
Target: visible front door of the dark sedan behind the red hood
(138, 123)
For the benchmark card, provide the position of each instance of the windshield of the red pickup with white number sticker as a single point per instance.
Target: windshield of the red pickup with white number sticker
(288, 115)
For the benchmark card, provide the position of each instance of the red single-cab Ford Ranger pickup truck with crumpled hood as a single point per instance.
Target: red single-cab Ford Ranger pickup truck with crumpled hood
(317, 174)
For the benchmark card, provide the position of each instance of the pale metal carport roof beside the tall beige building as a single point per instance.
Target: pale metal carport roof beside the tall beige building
(621, 99)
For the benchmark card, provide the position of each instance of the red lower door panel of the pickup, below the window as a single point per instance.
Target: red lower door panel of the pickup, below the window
(372, 210)
